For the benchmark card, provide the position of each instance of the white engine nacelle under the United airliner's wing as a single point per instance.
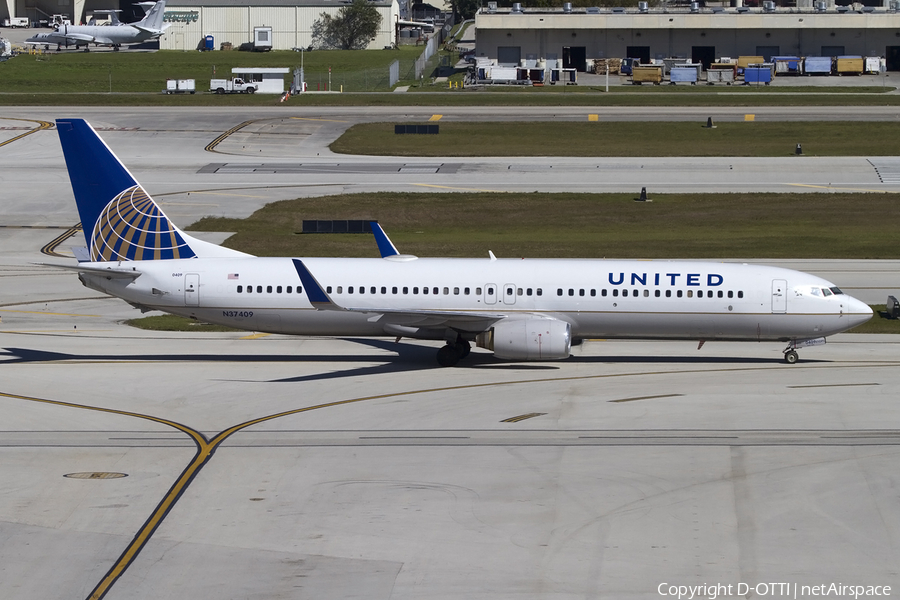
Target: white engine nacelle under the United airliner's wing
(528, 339)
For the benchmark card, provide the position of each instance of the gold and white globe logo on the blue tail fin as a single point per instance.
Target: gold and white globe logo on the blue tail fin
(132, 227)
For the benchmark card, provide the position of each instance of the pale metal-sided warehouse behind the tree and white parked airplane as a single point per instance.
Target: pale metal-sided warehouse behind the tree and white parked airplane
(233, 21)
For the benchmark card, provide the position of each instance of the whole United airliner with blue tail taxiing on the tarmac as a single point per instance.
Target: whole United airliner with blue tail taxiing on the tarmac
(521, 309)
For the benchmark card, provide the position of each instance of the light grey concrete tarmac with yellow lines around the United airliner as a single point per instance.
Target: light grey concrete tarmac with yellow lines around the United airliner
(261, 466)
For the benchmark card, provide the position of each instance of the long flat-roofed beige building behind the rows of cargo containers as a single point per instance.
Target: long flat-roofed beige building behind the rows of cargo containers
(700, 34)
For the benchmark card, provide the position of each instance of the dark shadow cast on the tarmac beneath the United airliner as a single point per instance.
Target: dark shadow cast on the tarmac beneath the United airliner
(403, 358)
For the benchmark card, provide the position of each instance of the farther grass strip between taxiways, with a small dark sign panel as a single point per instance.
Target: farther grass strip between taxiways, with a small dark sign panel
(618, 139)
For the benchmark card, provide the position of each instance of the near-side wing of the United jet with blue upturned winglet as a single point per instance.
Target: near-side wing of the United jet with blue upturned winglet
(420, 318)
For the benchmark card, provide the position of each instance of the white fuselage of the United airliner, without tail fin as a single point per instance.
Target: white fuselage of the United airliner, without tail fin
(598, 298)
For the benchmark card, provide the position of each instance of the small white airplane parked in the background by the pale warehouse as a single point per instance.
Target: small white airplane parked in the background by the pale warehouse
(149, 28)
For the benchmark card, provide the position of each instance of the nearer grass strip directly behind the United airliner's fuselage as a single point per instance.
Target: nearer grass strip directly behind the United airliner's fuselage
(838, 225)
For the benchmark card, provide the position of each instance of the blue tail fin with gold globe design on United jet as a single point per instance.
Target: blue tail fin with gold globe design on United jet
(120, 220)
